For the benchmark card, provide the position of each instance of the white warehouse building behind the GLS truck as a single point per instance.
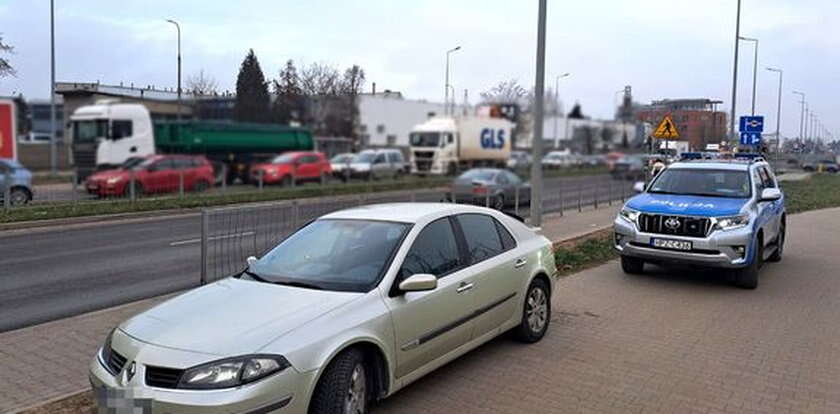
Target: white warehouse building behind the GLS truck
(386, 118)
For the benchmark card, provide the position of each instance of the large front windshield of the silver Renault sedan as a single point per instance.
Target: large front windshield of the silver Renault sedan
(343, 255)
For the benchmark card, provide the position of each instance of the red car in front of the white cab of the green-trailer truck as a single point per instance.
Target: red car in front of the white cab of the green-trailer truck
(154, 174)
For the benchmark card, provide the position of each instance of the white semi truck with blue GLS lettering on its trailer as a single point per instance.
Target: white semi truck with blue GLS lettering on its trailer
(446, 145)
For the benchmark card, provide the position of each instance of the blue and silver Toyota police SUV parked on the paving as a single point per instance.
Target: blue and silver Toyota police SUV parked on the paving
(708, 212)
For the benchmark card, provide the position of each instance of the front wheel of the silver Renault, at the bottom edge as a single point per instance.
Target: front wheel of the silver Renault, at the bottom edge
(342, 384)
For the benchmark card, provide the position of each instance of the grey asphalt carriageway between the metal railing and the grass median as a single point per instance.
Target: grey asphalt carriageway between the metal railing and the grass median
(53, 273)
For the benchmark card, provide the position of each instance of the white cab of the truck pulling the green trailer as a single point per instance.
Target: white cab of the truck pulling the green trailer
(107, 134)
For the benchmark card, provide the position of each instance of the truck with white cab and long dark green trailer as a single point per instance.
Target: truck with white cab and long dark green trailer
(107, 134)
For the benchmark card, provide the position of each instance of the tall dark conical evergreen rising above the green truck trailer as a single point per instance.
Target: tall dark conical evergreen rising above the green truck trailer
(252, 100)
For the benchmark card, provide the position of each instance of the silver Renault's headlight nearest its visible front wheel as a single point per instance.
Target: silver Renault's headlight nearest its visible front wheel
(232, 372)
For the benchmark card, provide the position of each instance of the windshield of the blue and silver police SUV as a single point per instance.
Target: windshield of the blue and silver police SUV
(703, 182)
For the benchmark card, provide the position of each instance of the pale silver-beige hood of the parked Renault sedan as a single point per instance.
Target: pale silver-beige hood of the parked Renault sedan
(232, 316)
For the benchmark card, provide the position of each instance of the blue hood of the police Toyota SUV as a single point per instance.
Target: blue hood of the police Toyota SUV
(686, 205)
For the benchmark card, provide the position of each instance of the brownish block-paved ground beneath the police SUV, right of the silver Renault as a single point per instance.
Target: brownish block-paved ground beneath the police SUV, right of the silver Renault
(670, 341)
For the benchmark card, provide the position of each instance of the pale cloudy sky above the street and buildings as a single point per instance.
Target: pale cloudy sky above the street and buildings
(662, 48)
